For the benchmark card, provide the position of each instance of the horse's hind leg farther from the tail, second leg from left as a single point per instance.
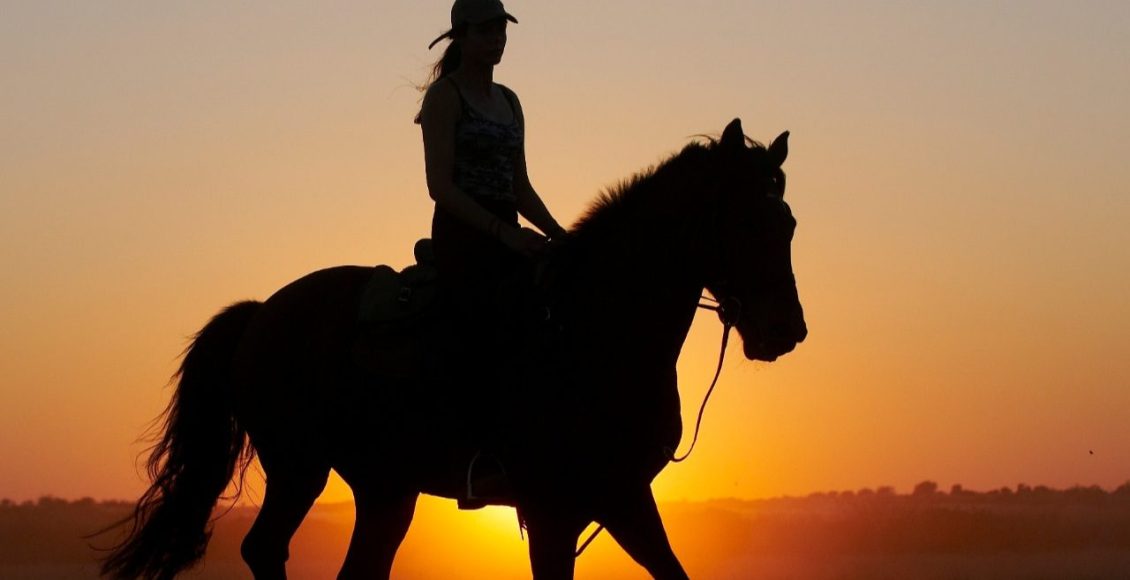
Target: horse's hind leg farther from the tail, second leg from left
(383, 524)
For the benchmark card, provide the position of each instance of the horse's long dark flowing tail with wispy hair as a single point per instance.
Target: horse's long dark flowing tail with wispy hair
(199, 452)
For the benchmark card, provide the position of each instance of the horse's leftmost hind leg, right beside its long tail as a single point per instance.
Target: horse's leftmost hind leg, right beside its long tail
(291, 492)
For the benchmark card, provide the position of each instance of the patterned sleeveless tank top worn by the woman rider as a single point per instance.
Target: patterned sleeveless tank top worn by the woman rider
(485, 152)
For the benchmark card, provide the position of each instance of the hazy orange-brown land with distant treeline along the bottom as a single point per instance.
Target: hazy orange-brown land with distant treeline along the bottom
(979, 534)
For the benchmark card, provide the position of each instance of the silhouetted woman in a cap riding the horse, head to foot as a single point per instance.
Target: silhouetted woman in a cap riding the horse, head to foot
(475, 158)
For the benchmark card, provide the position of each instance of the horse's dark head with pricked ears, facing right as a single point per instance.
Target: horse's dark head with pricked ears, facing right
(752, 265)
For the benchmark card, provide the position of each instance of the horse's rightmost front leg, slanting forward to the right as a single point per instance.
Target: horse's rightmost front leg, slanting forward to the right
(633, 521)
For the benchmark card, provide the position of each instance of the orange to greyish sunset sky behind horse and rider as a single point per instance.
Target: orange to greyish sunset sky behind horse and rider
(959, 171)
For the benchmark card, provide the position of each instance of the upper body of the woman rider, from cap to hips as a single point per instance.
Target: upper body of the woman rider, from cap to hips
(474, 151)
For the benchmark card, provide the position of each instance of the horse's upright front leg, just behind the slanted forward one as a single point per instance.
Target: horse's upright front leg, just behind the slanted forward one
(553, 542)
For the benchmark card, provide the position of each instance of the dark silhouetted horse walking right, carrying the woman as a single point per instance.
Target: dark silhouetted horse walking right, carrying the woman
(590, 428)
